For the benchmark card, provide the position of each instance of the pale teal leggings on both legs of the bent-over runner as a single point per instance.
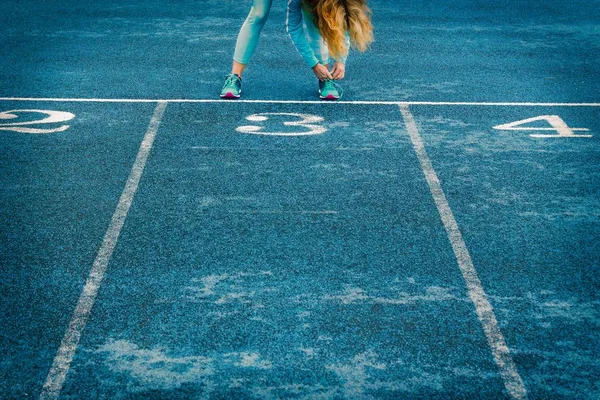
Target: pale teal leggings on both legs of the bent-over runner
(250, 33)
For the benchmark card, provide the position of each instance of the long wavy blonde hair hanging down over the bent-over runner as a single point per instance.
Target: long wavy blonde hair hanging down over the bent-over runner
(336, 17)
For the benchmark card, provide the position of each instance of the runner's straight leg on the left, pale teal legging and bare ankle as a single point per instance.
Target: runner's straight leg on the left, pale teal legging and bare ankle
(249, 34)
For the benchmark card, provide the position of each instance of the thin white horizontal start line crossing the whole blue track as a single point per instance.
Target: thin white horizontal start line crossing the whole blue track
(357, 102)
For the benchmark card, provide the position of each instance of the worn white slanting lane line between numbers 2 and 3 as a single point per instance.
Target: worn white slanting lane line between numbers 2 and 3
(66, 351)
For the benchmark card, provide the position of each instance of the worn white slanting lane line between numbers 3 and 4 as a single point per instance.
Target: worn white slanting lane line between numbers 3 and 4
(512, 380)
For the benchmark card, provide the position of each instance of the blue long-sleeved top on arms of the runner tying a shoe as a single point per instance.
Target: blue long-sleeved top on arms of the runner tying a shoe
(295, 28)
